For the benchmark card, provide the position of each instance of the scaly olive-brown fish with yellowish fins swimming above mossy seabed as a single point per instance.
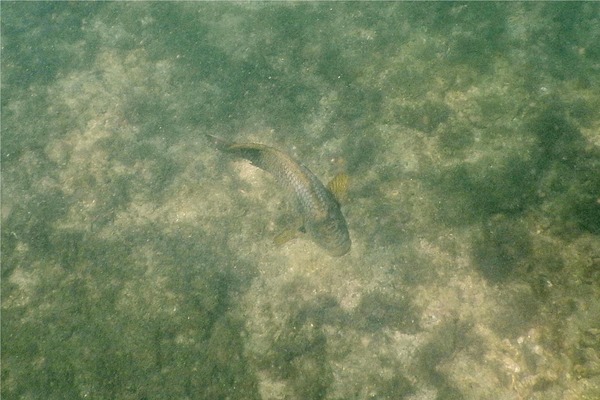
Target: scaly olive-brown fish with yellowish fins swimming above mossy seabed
(318, 207)
